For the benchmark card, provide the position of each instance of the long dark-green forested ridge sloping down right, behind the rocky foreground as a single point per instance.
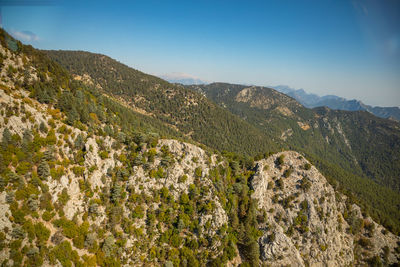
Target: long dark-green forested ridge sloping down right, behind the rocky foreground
(185, 110)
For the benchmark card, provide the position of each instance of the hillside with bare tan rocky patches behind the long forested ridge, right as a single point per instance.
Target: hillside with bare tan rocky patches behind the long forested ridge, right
(356, 149)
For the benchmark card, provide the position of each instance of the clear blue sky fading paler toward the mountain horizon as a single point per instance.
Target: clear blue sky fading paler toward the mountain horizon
(347, 48)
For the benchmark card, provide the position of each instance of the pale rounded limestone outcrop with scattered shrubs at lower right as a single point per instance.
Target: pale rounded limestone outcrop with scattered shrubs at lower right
(305, 223)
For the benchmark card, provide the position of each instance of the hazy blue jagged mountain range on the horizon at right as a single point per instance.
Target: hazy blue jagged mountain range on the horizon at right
(336, 102)
